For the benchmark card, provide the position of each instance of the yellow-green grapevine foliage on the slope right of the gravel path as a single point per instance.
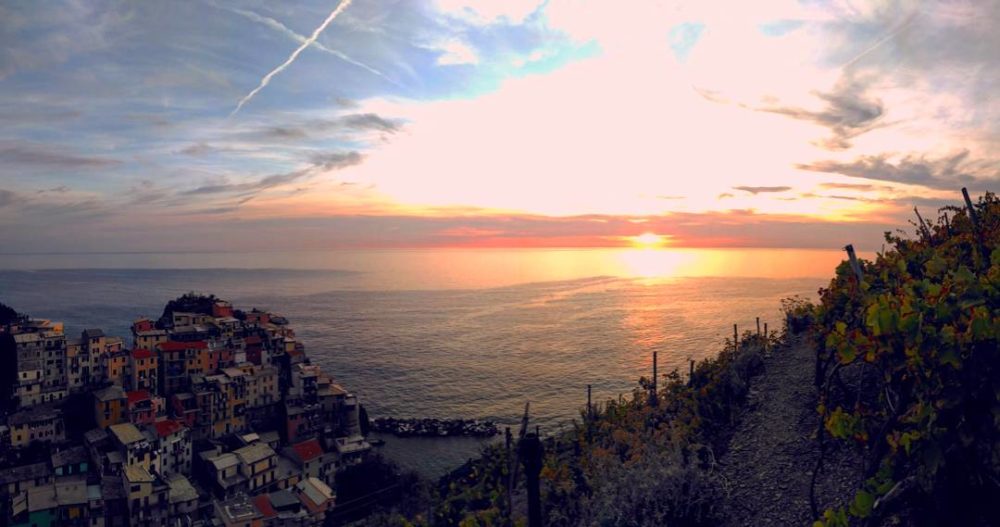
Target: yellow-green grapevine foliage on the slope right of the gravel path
(920, 332)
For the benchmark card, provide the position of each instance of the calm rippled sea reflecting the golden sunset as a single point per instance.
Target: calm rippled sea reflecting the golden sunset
(452, 333)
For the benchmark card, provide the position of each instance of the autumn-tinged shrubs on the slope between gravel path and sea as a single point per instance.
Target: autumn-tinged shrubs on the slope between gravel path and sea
(635, 461)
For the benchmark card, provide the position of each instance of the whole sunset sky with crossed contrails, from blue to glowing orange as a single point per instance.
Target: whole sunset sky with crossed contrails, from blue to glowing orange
(209, 125)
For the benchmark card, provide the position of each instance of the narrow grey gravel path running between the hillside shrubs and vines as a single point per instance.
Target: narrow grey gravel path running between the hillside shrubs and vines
(769, 463)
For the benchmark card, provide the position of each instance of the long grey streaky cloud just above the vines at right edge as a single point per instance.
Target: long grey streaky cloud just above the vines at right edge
(947, 173)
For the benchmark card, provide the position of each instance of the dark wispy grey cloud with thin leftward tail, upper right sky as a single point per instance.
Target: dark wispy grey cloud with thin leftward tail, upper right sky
(849, 112)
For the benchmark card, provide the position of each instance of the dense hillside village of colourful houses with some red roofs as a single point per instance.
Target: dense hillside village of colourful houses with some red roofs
(209, 416)
